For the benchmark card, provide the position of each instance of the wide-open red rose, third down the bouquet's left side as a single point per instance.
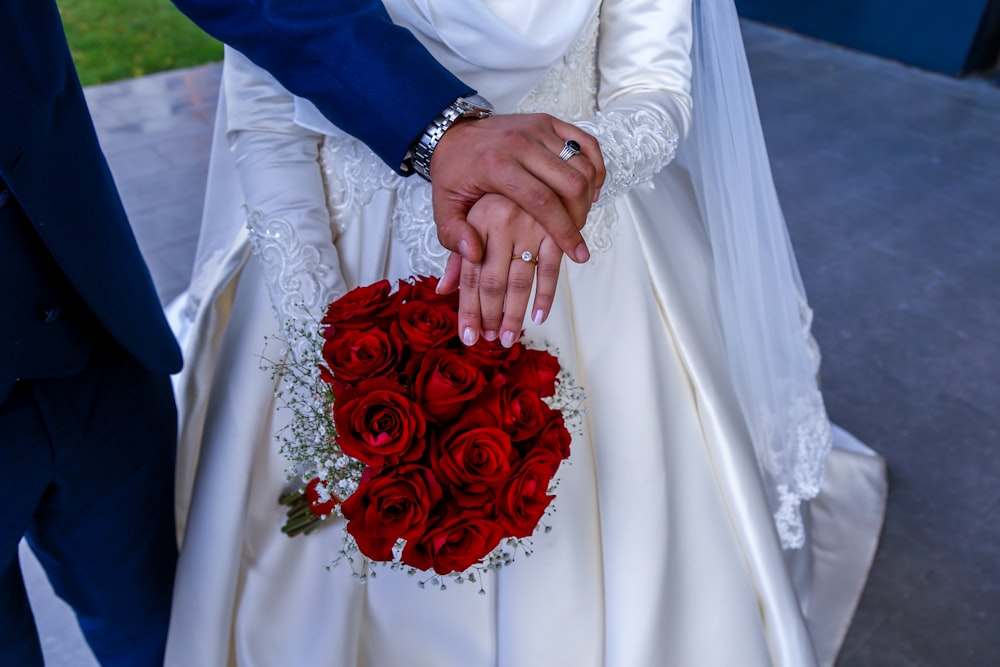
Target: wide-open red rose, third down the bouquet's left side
(378, 425)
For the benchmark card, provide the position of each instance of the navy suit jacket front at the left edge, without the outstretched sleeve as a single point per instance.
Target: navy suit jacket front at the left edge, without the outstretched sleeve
(51, 162)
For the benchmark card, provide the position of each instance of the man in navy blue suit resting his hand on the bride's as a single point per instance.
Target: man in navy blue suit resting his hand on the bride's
(87, 419)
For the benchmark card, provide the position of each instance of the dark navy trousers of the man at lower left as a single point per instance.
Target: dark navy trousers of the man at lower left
(86, 475)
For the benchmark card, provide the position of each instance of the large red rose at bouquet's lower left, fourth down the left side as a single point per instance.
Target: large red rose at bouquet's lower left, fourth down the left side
(391, 505)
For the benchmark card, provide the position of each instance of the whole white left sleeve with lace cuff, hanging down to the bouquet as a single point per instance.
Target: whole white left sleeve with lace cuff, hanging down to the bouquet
(287, 216)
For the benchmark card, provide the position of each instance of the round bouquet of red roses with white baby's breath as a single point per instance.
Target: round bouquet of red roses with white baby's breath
(439, 456)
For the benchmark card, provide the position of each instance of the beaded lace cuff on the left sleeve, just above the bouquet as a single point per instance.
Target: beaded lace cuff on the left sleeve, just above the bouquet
(297, 278)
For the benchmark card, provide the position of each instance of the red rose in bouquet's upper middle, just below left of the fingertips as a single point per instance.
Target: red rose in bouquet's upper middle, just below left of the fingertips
(445, 381)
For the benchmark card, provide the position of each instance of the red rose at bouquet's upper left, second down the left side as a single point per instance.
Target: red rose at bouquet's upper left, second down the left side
(352, 355)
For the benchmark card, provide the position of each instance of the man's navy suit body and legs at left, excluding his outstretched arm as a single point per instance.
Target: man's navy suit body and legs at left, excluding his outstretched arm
(87, 418)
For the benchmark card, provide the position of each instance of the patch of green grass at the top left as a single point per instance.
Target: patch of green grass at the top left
(120, 39)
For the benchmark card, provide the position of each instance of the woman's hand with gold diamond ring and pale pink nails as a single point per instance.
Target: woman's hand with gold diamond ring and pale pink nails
(494, 294)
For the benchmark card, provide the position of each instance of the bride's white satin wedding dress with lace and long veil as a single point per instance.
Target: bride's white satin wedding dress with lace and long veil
(685, 531)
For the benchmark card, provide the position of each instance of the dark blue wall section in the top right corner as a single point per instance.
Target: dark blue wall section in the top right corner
(932, 34)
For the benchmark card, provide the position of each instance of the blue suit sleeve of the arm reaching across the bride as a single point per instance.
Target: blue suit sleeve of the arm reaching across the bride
(370, 77)
